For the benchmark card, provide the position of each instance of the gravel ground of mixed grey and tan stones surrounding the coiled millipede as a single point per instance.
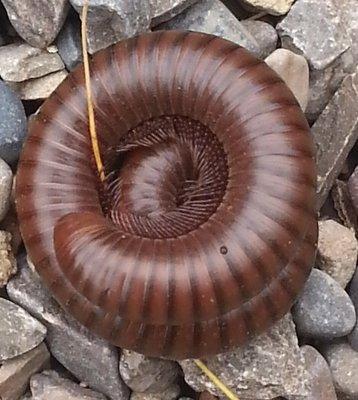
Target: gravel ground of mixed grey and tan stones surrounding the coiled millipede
(313, 352)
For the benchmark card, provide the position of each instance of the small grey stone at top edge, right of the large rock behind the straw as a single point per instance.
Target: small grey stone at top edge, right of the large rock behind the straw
(164, 10)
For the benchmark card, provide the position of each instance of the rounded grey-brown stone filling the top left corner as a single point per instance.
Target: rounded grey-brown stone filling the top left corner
(37, 21)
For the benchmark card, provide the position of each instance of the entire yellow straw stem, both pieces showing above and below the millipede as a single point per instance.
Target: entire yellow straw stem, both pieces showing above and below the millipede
(97, 155)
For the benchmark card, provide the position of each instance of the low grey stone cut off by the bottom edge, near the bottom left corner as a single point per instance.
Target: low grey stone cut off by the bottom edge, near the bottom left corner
(50, 386)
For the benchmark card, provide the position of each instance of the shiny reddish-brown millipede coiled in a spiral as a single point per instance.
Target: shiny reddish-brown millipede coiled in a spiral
(206, 230)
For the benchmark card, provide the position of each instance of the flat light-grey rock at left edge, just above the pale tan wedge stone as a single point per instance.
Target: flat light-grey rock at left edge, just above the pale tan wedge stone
(20, 61)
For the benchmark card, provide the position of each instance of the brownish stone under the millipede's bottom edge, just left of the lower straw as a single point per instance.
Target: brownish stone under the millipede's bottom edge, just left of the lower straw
(146, 374)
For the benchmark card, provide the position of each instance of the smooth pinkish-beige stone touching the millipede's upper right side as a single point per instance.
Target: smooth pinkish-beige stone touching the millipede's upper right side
(293, 69)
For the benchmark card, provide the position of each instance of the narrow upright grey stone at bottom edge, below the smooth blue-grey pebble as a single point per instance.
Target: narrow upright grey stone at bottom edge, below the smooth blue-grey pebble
(321, 387)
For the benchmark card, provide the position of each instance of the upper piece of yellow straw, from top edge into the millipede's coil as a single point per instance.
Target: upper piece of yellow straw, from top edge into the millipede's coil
(91, 120)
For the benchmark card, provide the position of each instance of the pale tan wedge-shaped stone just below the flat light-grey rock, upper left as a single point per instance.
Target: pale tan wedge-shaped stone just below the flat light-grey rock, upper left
(38, 88)
